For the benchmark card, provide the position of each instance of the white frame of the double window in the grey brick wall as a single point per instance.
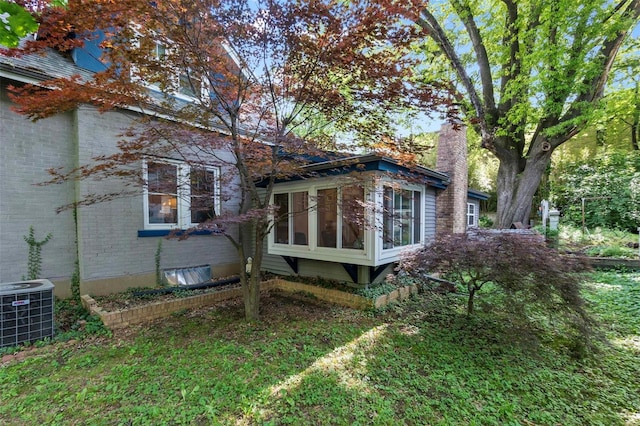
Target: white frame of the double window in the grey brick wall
(183, 183)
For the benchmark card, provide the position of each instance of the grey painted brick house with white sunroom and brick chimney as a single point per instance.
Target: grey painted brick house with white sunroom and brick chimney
(114, 242)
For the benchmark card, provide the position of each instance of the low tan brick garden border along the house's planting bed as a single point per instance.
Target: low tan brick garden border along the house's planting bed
(141, 314)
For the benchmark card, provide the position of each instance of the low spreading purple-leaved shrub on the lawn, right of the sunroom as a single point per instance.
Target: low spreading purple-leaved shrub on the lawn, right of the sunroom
(531, 280)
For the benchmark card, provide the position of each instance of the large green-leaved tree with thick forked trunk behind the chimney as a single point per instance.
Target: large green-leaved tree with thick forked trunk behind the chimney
(529, 74)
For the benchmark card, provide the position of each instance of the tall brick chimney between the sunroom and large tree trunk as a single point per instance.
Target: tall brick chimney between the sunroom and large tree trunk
(451, 204)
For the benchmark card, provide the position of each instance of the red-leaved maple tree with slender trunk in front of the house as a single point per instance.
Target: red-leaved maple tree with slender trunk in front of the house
(260, 76)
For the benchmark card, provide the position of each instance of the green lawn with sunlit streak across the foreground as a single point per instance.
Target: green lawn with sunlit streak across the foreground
(418, 363)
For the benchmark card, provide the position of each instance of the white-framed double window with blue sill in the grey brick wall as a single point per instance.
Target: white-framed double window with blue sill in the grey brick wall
(178, 195)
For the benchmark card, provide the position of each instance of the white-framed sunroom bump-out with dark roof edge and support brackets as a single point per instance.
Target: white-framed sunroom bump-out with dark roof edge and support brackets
(352, 219)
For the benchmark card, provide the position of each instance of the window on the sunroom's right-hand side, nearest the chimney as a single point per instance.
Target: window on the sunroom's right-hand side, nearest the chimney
(402, 214)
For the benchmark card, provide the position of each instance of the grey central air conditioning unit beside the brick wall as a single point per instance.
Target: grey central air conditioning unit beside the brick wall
(26, 312)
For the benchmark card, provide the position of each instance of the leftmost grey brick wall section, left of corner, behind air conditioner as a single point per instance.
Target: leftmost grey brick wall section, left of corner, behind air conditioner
(27, 150)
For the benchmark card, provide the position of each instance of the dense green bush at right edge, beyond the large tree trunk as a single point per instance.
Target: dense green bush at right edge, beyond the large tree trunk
(610, 185)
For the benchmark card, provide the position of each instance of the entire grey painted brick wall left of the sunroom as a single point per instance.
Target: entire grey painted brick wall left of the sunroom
(109, 246)
